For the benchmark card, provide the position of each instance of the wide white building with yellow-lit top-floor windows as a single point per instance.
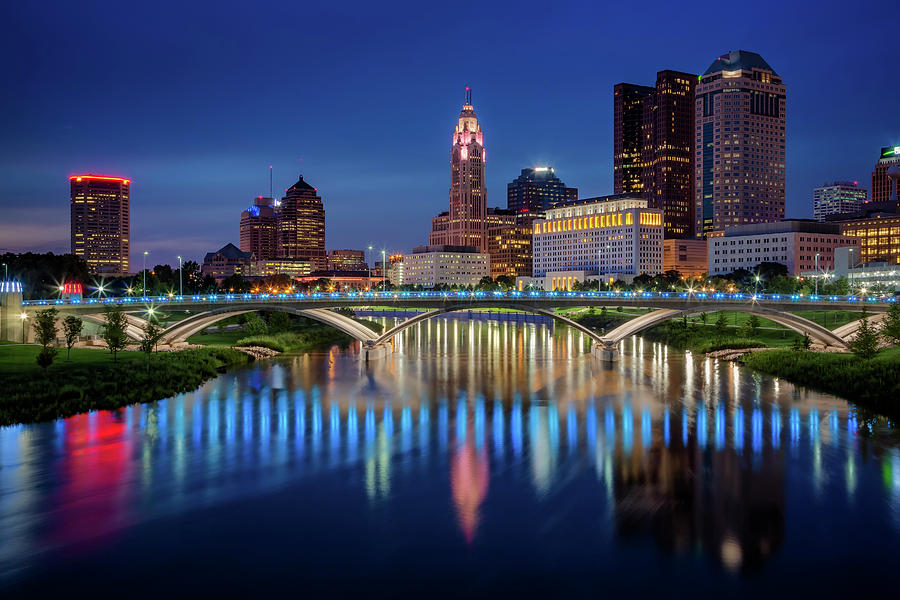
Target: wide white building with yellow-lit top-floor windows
(611, 236)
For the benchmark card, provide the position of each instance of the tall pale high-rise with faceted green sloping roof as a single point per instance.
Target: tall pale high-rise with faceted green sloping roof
(739, 143)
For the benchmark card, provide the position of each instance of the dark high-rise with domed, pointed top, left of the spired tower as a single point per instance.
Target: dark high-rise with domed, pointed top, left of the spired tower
(301, 225)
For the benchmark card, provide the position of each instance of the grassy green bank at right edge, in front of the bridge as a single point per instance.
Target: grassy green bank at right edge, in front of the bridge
(874, 383)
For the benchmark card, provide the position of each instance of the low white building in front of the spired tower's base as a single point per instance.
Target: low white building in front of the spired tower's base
(456, 266)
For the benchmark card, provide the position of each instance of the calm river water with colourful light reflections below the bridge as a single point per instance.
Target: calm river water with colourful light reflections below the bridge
(486, 457)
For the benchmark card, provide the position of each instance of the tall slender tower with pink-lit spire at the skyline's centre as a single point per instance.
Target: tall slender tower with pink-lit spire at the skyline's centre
(468, 197)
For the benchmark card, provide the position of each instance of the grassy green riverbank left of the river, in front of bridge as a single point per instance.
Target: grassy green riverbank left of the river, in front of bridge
(92, 381)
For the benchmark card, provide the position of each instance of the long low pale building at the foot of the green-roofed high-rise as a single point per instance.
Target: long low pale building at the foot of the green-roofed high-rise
(800, 245)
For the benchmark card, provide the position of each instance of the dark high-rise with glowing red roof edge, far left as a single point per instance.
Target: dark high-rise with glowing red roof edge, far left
(101, 222)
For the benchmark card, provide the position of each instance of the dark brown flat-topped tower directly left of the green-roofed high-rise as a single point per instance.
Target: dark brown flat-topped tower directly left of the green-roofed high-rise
(668, 150)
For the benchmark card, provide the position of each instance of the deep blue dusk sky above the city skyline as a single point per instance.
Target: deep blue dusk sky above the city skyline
(194, 100)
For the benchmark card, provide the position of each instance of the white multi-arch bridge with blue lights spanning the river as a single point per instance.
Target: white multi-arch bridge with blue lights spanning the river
(209, 309)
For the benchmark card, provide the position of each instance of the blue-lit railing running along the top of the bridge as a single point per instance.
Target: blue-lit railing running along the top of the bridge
(628, 296)
